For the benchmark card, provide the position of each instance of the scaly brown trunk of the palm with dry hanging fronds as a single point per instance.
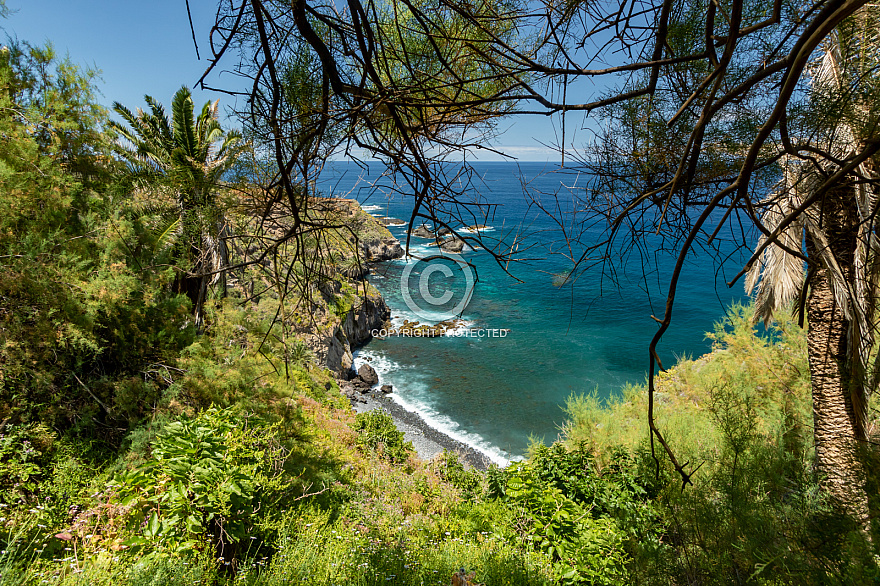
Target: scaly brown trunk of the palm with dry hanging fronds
(838, 431)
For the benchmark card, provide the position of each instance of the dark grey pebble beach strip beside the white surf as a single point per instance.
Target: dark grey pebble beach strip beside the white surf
(427, 441)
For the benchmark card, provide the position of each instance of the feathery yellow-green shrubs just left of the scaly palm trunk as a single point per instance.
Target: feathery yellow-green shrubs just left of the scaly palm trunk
(755, 512)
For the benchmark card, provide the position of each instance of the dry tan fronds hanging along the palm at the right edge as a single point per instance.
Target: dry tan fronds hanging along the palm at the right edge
(851, 125)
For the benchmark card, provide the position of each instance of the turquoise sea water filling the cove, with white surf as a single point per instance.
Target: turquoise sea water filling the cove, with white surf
(497, 390)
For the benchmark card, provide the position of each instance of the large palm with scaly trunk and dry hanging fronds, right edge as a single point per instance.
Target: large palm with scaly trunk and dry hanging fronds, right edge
(838, 232)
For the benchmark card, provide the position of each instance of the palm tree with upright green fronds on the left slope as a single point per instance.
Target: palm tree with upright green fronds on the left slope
(187, 155)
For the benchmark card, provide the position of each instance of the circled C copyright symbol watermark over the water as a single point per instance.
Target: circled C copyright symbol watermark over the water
(437, 287)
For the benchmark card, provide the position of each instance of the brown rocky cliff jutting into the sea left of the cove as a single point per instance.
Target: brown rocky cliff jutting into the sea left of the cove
(332, 308)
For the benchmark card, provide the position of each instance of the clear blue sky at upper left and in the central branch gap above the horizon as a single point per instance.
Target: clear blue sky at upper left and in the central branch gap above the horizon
(146, 48)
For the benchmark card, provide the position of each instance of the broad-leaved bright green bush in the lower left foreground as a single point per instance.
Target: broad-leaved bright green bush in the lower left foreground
(205, 481)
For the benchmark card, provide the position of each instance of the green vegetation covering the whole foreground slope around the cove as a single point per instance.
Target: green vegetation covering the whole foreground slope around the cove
(142, 445)
